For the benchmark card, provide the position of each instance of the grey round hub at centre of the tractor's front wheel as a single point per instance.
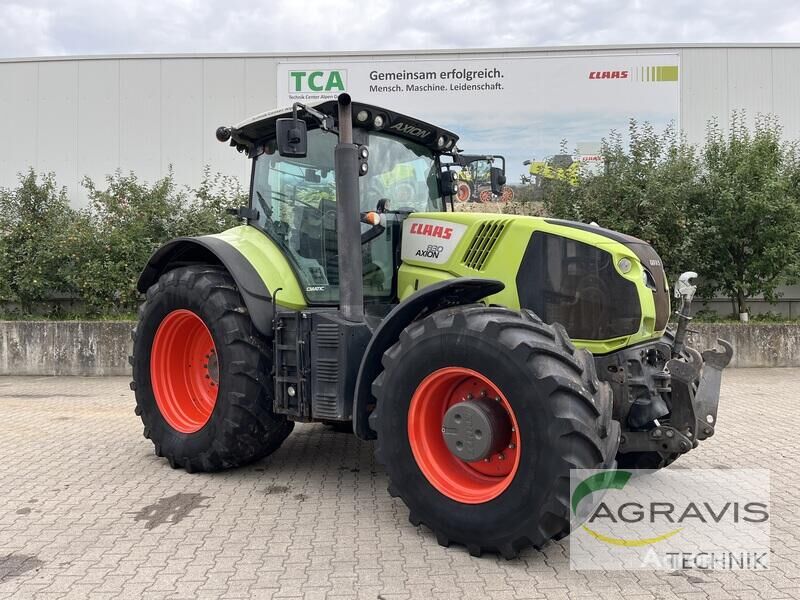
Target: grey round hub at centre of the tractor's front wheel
(476, 429)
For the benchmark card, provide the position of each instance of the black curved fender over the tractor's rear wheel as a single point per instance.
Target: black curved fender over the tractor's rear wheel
(212, 250)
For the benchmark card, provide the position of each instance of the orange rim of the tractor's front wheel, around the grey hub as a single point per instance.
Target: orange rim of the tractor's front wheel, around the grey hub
(466, 482)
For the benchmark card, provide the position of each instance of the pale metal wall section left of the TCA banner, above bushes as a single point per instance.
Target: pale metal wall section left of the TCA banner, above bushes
(81, 118)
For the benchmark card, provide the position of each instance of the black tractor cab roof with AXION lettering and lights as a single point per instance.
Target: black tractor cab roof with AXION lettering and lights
(251, 132)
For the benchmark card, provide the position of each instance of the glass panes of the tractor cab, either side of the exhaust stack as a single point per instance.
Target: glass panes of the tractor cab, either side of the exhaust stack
(296, 202)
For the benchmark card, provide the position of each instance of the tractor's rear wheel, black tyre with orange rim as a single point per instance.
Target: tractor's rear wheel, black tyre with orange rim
(201, 373)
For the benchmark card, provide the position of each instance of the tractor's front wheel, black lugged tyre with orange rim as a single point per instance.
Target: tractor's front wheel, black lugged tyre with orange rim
(558, 413)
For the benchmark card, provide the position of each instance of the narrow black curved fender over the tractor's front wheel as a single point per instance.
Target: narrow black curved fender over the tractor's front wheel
(453, 292)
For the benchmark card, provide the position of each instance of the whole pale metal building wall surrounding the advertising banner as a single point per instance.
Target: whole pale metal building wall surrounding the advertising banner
(89, 116)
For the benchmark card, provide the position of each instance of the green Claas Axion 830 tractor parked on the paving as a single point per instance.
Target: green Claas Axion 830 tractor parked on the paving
(486, 354)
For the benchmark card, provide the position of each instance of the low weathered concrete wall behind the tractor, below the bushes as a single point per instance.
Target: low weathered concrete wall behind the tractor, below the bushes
(102, 347)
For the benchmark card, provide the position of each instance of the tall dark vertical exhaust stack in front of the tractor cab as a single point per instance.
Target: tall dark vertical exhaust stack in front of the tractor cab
(348, 226)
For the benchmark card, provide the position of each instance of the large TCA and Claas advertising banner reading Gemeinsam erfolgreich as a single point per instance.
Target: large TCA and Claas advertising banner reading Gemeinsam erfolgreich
(548, 112)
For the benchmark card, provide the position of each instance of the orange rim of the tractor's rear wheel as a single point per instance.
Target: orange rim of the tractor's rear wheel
(184, 371)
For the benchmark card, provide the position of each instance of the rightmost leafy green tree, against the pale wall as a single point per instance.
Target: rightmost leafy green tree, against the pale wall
(750, 242)
